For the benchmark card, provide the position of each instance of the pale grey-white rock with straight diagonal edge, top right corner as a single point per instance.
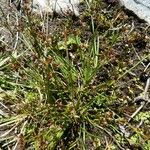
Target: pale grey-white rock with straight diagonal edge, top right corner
(140, 7)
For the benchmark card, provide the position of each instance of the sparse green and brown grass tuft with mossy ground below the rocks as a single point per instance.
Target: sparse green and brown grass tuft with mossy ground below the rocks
(71, 84)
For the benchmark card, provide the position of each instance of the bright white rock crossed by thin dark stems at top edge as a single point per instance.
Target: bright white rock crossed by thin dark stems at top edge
(59, 6)
